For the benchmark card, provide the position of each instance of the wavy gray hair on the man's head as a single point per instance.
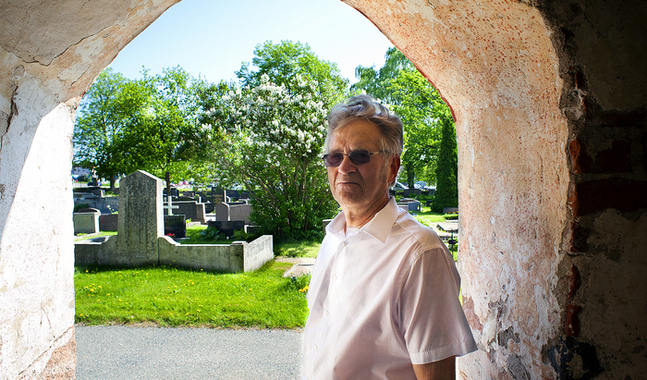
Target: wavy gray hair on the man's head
(365, 108)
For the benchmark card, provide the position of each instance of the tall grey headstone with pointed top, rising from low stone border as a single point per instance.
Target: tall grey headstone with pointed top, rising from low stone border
(141, 220)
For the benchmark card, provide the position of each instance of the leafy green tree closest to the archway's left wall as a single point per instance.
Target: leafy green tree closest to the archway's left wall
(105, 115)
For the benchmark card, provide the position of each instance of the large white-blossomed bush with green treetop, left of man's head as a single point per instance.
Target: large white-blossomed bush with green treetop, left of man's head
(271, 137)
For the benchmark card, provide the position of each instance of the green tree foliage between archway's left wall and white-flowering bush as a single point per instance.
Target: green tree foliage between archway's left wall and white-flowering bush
(151, 124)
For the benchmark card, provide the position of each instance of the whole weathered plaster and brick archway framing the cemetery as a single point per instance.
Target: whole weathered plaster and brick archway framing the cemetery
(529, 84)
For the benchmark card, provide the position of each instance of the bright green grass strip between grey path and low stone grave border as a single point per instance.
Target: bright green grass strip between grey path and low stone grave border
(166, 296)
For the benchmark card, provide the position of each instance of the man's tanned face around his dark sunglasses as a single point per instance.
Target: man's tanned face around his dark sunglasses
(359, 188)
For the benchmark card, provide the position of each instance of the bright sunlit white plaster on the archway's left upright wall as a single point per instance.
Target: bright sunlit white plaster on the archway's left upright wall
(36, 257)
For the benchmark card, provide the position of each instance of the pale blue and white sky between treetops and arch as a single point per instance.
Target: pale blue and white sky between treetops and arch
(211, 38)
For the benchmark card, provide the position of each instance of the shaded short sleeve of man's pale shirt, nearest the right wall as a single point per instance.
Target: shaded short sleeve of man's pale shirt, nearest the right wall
(432, 319)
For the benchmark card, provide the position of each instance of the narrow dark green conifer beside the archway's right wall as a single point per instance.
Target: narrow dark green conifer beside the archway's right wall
(447, 171)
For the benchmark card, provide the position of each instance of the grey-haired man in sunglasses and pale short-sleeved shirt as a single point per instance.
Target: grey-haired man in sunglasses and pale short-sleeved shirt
(383, 297)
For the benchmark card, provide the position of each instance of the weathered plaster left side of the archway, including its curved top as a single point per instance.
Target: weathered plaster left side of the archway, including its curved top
(50, 52)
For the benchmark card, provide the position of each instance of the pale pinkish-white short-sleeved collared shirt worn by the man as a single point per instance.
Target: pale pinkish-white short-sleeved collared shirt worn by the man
(382, 299)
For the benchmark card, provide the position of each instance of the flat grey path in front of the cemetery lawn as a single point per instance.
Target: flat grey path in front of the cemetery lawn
(123, 353)
